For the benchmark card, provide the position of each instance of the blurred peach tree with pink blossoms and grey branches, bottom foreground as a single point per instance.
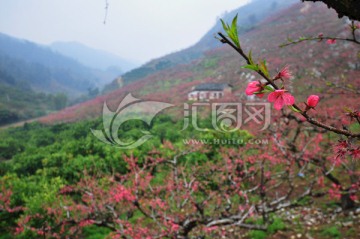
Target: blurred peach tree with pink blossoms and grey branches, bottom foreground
(206, 198)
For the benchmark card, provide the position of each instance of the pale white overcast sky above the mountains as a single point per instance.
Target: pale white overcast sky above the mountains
(135, 29)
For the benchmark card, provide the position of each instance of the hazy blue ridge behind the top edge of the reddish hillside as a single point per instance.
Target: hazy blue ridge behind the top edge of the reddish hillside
(248, 16)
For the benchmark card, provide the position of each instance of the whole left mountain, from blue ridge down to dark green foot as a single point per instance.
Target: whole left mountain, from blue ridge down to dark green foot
(35, 80)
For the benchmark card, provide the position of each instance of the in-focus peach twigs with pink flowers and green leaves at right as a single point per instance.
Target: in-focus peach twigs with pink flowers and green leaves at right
(281, 97)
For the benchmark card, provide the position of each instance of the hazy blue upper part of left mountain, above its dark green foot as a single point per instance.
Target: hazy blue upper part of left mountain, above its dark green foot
(42, 69)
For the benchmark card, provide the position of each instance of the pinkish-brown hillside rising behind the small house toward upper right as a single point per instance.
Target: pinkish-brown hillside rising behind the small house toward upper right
(312, 63)
